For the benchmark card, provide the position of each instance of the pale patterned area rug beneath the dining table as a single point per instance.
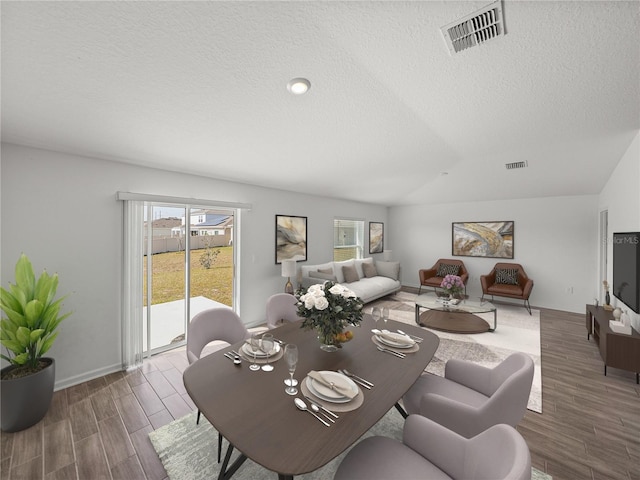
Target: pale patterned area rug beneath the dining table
(188, 451)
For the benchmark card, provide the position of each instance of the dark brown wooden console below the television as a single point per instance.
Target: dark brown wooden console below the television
(618, 350)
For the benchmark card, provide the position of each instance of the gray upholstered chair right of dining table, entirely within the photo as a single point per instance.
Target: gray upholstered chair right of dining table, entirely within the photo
(471, 398)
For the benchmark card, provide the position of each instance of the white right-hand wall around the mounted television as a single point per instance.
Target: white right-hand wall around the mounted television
(621, 198)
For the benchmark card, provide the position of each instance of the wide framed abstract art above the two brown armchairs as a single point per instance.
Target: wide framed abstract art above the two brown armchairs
(482, 239)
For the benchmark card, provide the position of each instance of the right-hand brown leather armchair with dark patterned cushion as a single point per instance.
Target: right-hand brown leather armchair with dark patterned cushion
(508, 280)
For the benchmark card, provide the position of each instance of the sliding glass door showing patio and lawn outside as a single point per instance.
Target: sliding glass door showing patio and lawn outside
(188, 266)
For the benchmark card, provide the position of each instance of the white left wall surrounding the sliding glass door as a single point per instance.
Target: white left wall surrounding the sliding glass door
(43, 195)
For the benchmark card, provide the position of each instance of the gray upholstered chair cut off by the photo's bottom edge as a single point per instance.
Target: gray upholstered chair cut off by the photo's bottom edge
(432, 452)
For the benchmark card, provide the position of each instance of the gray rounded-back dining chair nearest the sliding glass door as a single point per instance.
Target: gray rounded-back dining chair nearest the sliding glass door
(213, 324)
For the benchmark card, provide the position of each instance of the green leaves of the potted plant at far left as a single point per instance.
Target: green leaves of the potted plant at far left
(32, 317)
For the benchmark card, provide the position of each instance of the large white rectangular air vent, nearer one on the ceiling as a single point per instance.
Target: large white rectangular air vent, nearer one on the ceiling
(474, 29)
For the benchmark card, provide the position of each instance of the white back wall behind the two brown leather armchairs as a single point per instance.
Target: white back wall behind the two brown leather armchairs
(552, 241)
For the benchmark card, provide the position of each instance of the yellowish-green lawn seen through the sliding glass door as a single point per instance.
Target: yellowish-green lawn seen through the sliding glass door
(168, 276)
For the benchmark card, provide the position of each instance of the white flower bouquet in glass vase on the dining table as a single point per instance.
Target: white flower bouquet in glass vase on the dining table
(328, 309)
